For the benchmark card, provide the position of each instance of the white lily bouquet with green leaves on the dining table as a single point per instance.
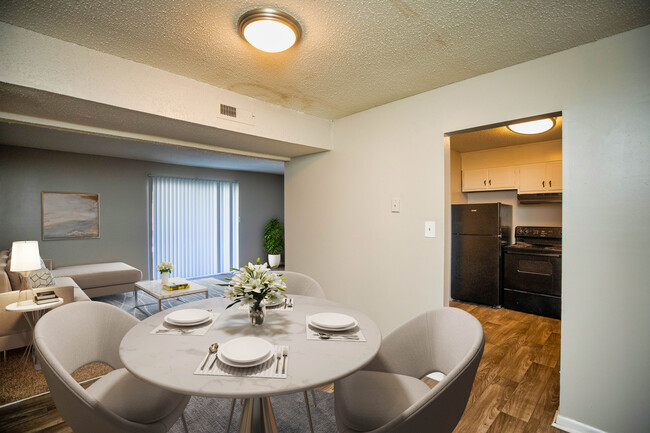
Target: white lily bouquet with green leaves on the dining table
(253, 284)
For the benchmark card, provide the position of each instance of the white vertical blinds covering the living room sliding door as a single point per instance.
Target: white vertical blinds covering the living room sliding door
(194, 225)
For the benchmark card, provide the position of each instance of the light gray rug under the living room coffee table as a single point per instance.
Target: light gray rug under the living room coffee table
(149, 304)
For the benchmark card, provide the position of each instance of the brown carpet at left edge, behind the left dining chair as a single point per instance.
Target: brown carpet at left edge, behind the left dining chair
(19, 380)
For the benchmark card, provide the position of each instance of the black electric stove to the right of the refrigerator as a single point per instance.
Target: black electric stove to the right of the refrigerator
(532, 271)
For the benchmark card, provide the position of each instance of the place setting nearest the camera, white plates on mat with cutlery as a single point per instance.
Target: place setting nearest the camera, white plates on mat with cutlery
(245, 357)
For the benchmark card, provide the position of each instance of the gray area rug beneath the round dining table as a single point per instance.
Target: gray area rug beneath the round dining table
(211, 414)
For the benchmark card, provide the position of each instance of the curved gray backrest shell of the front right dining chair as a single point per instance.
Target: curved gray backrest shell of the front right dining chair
(446, 340)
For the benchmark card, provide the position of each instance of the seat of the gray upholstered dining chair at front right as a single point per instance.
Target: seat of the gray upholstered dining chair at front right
(370, 399)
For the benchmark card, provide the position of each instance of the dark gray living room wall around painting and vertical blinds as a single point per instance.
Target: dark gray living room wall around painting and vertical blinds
(122, 185)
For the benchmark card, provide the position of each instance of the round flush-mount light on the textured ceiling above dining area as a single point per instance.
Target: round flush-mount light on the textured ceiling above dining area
(269, 30)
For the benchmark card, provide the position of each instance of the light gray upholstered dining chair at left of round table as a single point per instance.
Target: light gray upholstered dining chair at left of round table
(77, 334)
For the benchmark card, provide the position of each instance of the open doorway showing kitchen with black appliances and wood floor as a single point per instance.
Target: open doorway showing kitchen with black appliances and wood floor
(503, 262)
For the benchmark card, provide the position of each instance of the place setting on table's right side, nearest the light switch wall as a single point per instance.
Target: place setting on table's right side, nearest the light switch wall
(333, 327)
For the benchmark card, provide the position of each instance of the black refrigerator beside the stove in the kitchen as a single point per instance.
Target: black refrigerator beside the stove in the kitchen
(478, 234)
